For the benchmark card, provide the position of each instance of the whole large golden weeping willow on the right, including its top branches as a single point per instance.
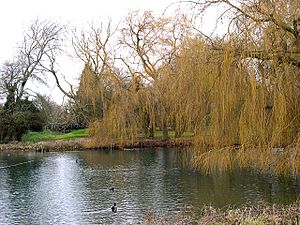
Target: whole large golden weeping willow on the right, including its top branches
(245, 87)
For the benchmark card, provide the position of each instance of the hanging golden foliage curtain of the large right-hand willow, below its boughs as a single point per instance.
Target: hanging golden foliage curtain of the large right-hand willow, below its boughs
(229, 101)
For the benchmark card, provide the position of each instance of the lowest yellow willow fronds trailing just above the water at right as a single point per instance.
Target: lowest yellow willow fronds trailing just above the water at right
(265, 160)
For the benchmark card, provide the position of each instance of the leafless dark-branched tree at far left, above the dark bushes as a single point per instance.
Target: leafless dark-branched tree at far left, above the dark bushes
(36, 58)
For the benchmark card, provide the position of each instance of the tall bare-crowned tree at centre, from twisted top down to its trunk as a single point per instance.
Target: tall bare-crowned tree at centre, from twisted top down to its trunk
(152, 43)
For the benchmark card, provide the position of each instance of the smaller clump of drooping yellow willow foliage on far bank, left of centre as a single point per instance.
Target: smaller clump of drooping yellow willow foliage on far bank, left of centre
(123, 121)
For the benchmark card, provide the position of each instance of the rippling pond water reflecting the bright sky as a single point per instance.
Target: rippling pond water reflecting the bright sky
(53, 188)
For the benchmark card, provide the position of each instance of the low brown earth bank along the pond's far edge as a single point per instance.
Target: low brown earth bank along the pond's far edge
(83, 144)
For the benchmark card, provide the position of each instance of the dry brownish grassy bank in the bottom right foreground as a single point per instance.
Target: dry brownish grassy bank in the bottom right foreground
(260, 214)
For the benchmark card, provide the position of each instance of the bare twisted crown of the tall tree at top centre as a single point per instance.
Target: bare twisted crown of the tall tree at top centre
(151, 42)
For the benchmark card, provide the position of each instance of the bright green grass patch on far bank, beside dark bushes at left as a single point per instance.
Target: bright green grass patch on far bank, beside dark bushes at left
(52, 136)
